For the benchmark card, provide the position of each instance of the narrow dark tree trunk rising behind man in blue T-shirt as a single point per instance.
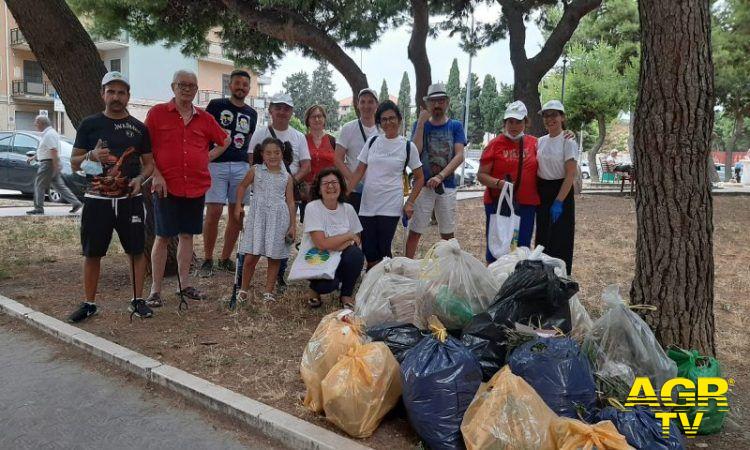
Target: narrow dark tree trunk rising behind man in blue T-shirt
(417, 50)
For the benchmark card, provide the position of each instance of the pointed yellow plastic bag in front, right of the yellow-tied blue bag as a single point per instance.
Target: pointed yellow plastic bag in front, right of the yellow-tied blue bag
(508, 414)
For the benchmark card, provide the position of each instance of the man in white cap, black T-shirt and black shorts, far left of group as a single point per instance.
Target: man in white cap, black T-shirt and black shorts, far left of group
(100, 141)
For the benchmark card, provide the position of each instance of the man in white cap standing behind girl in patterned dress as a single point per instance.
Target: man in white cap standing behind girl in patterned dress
(281, 109)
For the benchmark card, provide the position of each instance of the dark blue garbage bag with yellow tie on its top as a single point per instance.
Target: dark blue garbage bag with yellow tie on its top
(439, 378)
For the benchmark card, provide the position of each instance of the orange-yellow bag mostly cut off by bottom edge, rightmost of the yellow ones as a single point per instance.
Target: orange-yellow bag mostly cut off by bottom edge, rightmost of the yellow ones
(571, 434)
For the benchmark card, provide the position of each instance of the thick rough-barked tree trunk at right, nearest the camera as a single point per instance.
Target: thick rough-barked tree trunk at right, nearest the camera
(674, 267)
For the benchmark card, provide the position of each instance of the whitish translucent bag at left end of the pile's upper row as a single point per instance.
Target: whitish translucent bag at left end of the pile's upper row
(392, 300)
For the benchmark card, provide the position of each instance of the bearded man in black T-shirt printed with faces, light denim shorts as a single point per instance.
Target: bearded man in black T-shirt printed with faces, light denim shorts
(227, 170)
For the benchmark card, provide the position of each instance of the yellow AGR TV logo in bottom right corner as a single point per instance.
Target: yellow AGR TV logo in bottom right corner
(677, 404)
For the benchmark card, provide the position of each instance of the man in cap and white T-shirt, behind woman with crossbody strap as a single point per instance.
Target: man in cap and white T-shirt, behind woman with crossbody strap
(352, 138)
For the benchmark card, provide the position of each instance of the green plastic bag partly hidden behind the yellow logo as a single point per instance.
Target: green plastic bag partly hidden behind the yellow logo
(692, 365)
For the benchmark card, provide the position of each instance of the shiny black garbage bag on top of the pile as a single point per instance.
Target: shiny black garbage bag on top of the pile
(533, 295)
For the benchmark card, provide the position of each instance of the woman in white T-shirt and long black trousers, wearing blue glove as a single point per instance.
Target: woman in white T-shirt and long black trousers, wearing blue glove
(558, 161)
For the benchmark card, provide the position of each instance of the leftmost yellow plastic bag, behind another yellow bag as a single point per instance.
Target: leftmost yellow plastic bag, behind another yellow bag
(331, 340)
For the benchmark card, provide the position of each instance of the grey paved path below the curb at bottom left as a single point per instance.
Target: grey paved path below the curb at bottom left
(48, 401)
